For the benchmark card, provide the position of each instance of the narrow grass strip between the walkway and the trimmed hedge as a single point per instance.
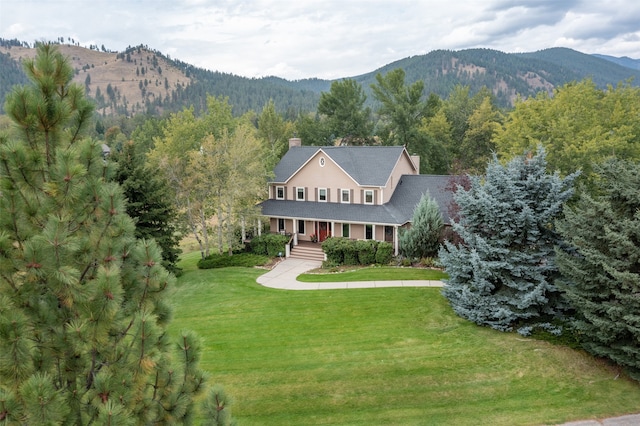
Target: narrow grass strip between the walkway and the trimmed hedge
(375, 273)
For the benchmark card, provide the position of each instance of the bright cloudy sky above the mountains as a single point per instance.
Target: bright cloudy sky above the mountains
(327, 39)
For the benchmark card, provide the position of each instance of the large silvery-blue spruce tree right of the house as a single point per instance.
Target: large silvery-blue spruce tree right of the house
(502, 273)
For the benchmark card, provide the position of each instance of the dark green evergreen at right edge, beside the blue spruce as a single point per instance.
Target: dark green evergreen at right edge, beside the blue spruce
(600, 265)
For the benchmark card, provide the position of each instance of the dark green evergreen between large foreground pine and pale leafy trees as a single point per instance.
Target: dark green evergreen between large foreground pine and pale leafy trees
(148, 204)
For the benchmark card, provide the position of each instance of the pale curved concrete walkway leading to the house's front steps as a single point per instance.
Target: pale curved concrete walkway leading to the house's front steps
(284, 276)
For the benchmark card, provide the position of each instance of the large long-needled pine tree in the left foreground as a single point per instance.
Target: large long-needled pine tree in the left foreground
(83, 316)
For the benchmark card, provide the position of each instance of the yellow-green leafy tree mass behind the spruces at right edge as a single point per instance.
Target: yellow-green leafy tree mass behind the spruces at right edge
(579, 126)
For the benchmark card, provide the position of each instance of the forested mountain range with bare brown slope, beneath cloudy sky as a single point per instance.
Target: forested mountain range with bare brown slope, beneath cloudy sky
(141, 80)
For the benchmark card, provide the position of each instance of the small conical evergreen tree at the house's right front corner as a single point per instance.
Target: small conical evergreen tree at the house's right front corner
(422, 239)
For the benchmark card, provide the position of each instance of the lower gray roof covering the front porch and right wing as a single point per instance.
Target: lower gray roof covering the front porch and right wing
(398, 211)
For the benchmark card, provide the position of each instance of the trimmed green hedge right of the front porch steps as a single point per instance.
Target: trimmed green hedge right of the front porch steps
(343, 251)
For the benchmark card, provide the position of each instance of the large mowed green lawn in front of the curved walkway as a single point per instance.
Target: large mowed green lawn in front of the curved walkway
(385, 356)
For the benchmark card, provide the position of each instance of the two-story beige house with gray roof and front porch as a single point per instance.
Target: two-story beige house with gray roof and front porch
(358, 192)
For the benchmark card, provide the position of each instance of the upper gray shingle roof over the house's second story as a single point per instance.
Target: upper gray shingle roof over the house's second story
(367, 165)
